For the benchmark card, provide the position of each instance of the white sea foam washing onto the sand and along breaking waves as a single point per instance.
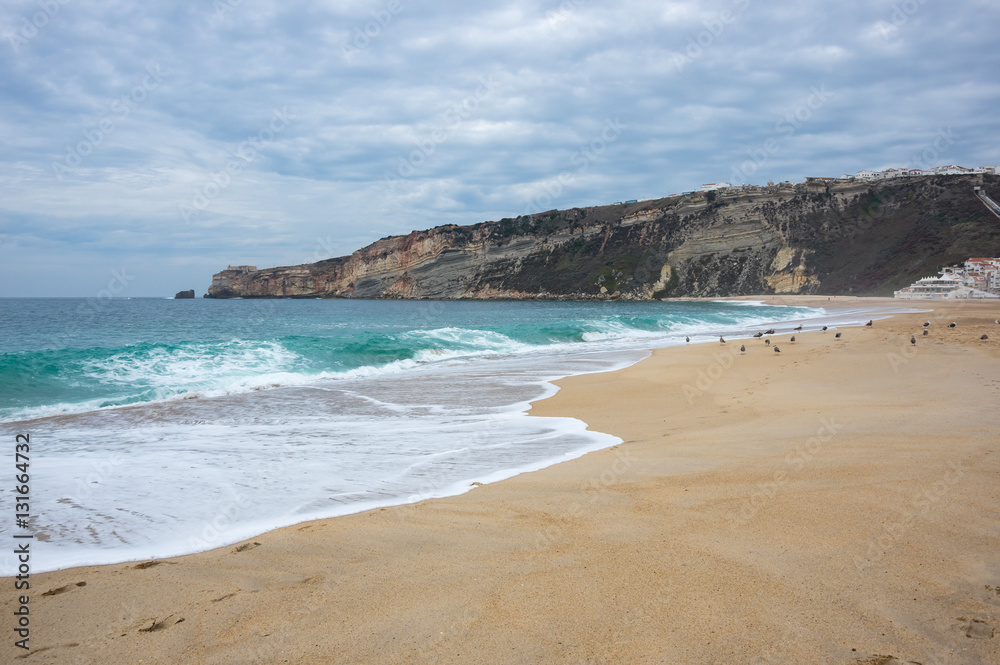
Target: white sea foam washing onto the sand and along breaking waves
(184, 475)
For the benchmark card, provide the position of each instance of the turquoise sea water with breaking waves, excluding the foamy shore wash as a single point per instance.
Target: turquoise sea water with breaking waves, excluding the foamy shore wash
(65, 356)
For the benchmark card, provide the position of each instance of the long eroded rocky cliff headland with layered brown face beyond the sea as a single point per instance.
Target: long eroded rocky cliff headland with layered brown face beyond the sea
(860, 238)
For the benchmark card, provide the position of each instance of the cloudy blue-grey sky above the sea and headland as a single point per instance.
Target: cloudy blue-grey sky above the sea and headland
(145, 146)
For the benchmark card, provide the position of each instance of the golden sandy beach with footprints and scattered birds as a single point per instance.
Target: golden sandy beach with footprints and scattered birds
(837, 502)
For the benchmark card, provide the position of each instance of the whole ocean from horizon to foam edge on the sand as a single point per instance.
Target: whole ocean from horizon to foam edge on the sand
(160, 427)
